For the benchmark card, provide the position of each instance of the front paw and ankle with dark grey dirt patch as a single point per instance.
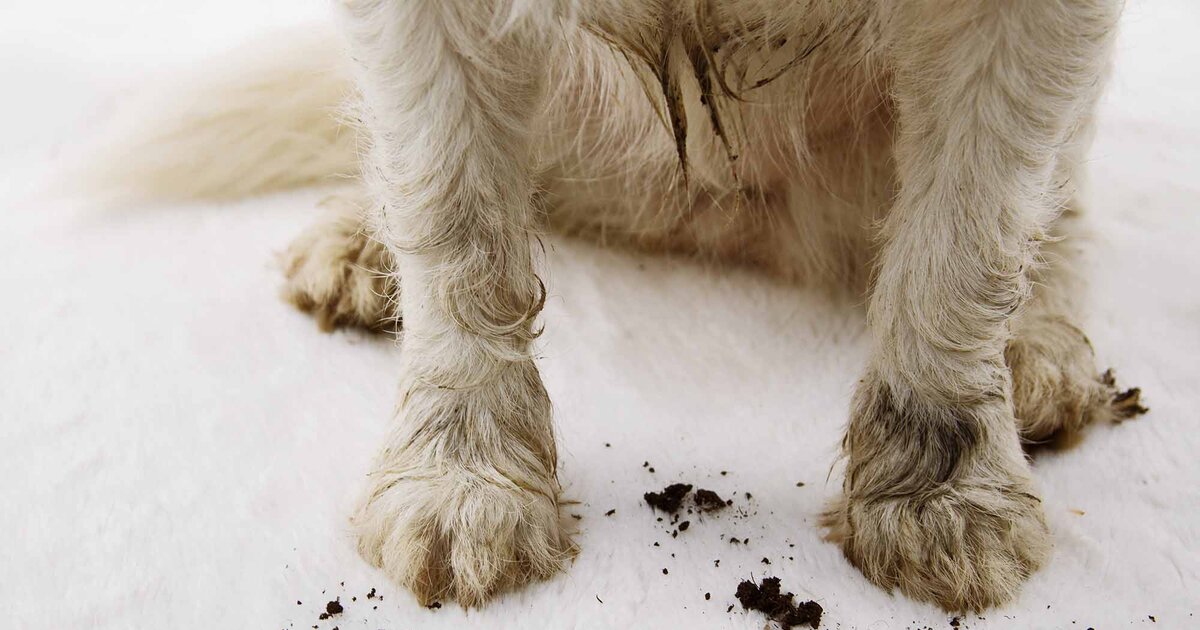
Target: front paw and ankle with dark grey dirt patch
(938, 502)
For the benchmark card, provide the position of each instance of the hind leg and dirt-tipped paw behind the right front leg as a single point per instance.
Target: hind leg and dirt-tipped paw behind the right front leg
(1058, 391)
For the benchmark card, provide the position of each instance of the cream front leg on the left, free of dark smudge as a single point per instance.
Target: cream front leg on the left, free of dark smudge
(463, 502)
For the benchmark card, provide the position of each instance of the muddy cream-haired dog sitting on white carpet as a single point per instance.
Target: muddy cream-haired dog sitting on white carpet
(931, 153)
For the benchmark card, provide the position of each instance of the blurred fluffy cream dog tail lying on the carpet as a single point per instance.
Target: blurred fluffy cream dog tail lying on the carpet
(263, 118)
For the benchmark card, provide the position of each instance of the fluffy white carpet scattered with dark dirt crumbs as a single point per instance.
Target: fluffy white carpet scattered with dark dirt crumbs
(181, 449)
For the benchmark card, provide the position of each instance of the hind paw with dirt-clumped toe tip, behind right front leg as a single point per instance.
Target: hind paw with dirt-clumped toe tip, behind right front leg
(1057, 389)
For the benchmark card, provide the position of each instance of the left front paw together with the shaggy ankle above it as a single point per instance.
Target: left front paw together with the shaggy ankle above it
(464, 502)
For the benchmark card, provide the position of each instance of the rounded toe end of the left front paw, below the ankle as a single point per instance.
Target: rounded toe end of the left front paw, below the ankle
(459, 536)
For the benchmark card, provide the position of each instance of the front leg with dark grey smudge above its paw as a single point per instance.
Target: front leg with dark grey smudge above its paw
(939, 500)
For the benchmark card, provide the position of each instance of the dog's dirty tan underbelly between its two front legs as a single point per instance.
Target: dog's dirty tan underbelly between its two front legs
(806, 173)
